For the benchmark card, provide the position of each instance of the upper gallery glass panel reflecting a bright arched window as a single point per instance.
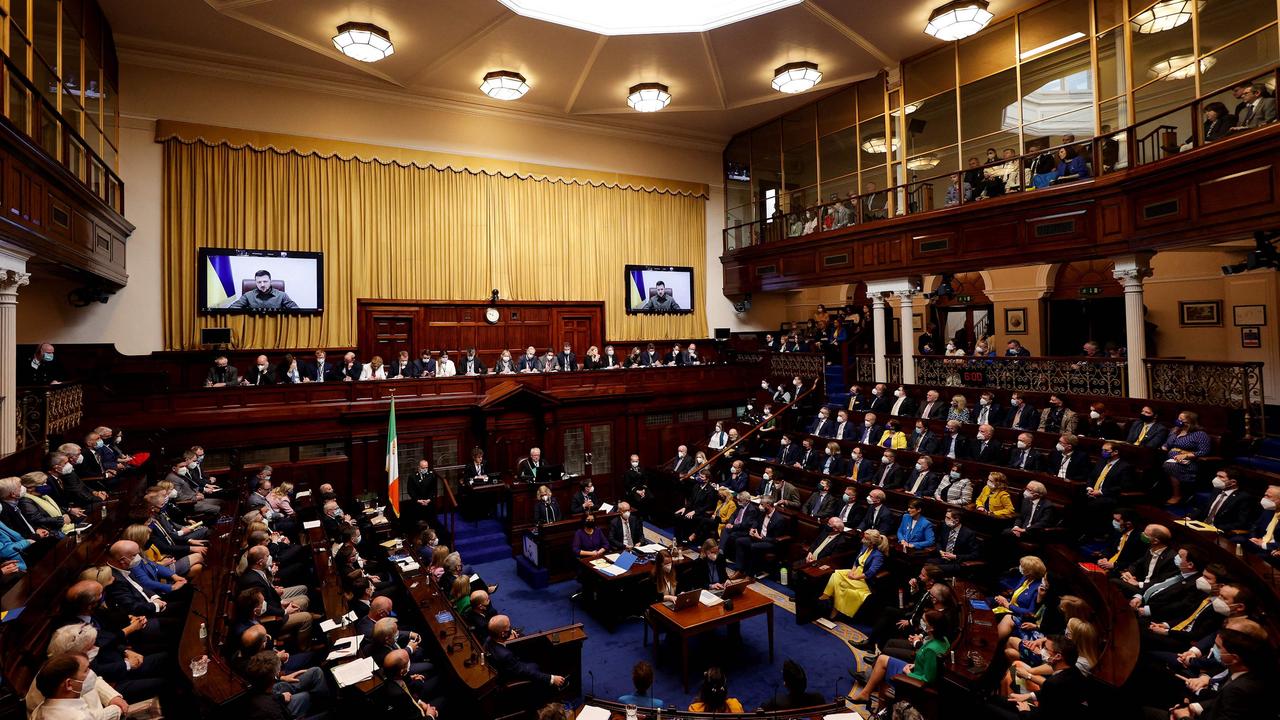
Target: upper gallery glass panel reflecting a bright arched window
(1058, 85)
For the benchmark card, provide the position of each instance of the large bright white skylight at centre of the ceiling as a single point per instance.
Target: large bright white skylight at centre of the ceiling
(629, 17)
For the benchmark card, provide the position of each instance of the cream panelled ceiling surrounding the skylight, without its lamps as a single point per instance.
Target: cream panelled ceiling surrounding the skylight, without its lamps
(720, 80)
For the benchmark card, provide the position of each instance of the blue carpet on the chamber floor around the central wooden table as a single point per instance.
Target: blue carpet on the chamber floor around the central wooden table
(611, 654)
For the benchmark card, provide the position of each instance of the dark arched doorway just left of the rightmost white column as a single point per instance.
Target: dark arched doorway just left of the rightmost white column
(1087, 304)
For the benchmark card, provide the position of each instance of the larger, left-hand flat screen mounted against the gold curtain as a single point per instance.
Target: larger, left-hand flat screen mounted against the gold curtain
(260, 281)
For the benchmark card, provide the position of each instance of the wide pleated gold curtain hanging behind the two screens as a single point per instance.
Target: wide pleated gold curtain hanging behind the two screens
(392, 231)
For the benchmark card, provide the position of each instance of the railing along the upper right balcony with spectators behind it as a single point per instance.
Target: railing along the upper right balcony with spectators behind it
(1142, 144)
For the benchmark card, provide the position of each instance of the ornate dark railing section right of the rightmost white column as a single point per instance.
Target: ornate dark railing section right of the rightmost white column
(1206, 382)
